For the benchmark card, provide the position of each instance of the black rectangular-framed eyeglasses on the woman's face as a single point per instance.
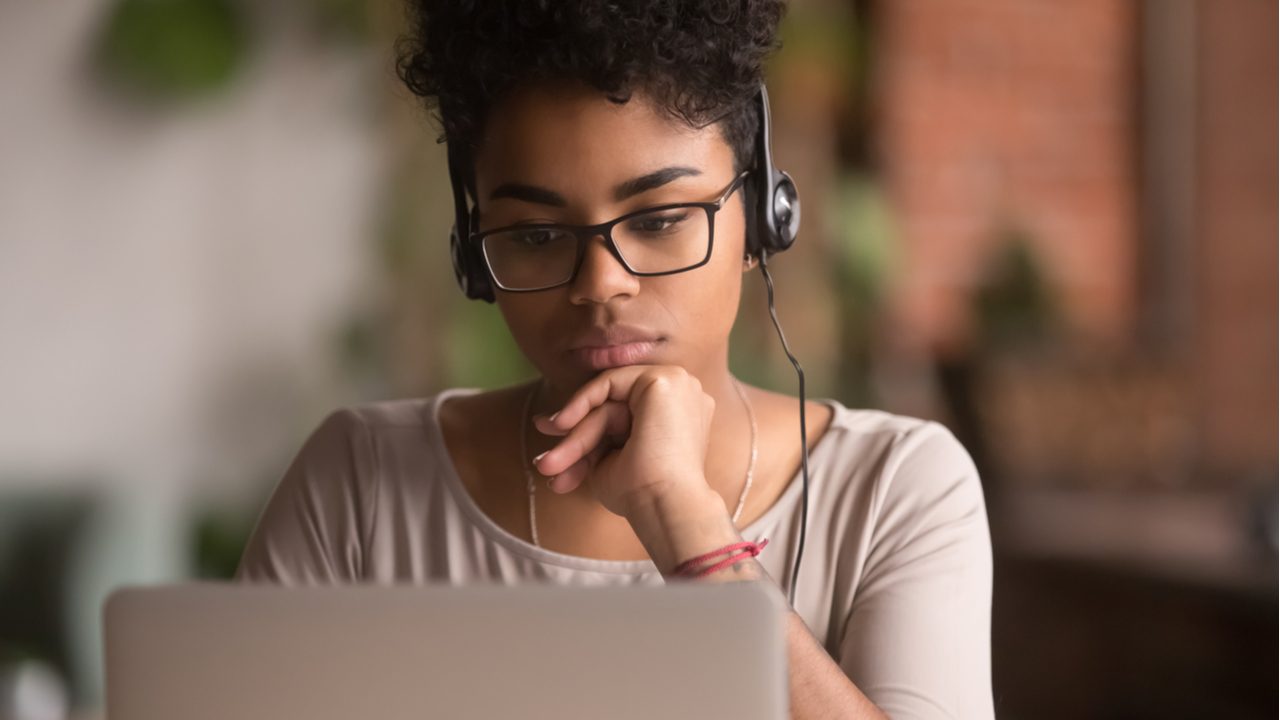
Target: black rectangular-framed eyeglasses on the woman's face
(656, 241)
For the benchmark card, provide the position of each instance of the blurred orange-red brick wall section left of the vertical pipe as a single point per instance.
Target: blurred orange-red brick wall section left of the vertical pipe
(1011, 116)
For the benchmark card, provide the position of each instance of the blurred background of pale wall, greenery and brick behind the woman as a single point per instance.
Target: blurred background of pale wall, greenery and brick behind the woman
(1052, 225)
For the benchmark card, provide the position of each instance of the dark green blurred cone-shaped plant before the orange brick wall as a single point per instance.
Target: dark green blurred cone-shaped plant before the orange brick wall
(1014, 307)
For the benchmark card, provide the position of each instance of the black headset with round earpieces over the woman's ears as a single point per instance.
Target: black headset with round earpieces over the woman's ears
(774, 212)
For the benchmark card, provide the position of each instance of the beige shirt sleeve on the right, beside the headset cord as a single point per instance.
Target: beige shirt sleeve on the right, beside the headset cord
(918, 639)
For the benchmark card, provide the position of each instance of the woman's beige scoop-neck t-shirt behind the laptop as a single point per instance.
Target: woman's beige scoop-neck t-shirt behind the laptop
(895, 580)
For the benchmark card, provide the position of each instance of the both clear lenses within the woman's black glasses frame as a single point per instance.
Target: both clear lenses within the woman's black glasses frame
(662, 241)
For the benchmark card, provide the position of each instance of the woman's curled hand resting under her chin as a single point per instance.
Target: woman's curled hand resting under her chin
(637, 435)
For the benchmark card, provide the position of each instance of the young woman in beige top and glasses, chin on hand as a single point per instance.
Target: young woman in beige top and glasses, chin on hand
(610, 151)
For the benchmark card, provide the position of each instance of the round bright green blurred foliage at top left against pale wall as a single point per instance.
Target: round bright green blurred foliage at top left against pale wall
(175, 48)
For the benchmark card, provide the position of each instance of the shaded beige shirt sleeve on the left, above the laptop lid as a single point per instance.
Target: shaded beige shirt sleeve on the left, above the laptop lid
(316, 527)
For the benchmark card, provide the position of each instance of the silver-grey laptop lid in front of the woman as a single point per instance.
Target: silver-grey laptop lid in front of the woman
(218, 651)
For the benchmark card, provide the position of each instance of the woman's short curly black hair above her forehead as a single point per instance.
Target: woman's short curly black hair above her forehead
(698, 61)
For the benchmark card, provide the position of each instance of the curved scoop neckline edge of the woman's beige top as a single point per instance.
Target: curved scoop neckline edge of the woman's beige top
(784, 504)
